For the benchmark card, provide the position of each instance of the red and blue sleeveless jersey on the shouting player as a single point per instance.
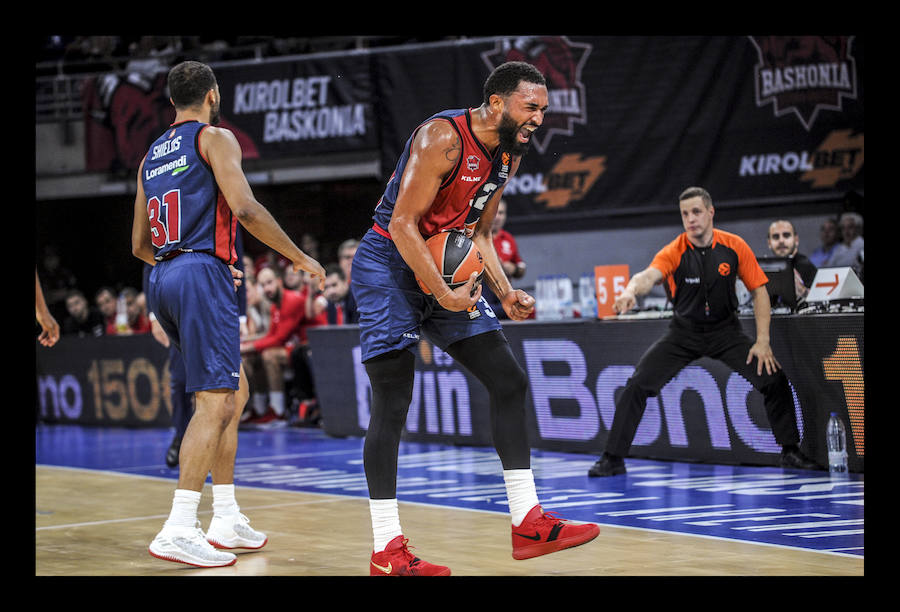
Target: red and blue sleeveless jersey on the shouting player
(478, 173)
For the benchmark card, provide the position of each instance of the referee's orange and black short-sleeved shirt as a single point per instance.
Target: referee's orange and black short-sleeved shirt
(700, 282)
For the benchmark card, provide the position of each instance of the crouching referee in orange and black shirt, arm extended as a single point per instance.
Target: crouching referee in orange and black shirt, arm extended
(699, 269)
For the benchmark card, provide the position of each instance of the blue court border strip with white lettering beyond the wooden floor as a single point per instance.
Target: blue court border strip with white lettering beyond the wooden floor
(800, 509)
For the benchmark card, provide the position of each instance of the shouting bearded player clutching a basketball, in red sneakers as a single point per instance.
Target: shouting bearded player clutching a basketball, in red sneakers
(450, 176)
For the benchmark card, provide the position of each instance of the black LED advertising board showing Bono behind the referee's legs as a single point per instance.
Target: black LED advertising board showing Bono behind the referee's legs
(575, 369)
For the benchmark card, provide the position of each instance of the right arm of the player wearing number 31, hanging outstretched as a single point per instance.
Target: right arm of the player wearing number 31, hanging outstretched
(223, 151)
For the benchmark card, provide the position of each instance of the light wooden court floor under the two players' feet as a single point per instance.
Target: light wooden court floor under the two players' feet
(99, 523)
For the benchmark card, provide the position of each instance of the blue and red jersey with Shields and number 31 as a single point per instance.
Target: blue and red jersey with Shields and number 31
(187, 211)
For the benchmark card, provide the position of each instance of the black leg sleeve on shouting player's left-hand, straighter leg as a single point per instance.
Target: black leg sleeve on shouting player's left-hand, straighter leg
(391, 376)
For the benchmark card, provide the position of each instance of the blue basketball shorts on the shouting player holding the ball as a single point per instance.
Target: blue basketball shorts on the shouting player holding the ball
(393, 311)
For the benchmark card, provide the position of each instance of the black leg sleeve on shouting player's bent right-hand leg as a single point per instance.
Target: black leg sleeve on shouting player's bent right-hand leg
(489, 359)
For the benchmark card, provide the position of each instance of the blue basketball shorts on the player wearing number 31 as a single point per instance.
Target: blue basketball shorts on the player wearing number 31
(193, 298)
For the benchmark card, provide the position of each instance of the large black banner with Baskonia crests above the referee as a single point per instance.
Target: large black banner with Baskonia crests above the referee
(635, 120)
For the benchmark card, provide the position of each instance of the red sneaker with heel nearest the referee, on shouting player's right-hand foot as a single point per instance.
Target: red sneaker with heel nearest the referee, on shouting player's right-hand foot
(541, 533)
